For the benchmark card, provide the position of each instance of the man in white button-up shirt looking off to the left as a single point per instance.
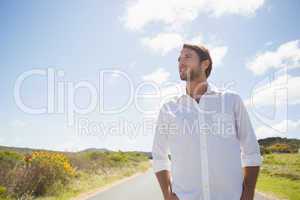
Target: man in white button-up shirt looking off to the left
(208, 134)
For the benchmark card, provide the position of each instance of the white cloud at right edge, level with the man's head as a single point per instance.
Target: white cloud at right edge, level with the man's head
(287, 55)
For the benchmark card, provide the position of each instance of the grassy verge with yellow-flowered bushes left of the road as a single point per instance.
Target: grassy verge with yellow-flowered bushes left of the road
(46, 175)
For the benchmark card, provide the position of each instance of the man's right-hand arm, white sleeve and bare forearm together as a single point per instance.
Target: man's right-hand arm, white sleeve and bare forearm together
(250, 152)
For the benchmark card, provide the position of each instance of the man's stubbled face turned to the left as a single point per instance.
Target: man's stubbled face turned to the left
(189, 64)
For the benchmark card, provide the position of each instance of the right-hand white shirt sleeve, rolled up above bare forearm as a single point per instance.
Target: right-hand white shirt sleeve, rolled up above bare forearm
(250, 152)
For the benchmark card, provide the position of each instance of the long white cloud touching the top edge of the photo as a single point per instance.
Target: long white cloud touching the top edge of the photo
(140, 13)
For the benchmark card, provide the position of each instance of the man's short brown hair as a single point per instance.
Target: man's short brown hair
(203, 54)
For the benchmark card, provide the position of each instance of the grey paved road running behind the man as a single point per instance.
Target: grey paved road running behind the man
(143, 187)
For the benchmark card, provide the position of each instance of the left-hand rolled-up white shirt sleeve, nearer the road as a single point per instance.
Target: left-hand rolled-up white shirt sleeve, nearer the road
(160, 147)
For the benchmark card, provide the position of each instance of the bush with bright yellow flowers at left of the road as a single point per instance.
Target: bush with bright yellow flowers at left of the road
(41, 171)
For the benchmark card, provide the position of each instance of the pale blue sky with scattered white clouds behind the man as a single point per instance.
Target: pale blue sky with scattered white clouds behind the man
(255, 46)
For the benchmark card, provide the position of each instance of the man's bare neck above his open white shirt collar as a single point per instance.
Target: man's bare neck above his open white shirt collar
(196, 89)
